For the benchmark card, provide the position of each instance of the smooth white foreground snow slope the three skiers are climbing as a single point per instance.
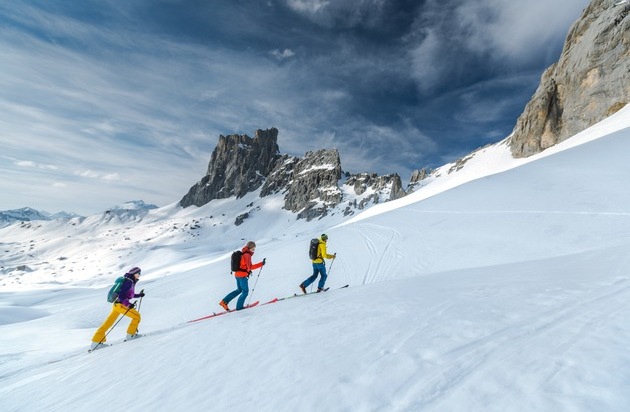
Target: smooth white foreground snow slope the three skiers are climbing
(510, 292)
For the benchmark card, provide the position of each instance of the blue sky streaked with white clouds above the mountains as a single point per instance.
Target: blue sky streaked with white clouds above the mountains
(107, 101)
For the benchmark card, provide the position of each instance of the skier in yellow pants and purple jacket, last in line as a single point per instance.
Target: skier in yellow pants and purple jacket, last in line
(122, 306)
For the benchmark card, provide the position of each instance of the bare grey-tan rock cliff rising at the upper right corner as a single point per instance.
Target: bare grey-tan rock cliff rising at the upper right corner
(590, 82)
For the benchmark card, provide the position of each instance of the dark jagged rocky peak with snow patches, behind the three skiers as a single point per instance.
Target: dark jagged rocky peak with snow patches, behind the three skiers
(310, 184)
